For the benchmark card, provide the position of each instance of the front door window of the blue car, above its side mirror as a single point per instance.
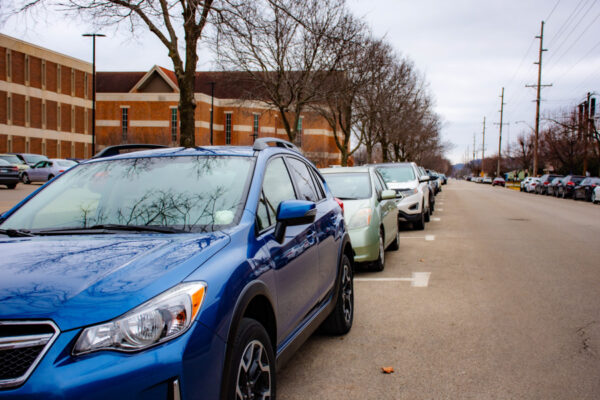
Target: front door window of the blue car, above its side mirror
(277, 187)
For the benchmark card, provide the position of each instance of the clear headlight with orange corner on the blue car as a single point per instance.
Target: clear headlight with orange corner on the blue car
(162, 318)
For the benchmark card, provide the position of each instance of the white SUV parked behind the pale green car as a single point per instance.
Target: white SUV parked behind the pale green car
(412, 191)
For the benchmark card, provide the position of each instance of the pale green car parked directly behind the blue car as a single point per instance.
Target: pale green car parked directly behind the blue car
(369, 210)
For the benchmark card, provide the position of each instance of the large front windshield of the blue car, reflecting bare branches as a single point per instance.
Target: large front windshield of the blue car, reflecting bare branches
(187, 193)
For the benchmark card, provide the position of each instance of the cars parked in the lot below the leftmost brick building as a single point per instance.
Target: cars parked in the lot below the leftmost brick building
(28, 168)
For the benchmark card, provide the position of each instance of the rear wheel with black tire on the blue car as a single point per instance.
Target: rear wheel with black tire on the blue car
(340, 320)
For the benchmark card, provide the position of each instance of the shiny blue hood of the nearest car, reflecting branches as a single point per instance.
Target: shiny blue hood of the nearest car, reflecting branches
(82, 280)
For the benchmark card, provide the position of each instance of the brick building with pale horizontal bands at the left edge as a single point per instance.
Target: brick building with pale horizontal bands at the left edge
(45, 101)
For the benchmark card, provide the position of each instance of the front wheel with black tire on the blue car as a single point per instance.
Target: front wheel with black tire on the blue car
(251, 366)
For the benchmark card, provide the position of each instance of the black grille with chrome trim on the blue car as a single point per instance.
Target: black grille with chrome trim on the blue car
(22, 346)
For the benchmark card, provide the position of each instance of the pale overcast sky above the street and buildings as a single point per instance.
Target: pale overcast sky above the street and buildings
(467, 49)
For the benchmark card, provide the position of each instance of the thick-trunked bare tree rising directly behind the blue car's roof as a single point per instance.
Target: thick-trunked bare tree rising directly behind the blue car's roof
(168, 20)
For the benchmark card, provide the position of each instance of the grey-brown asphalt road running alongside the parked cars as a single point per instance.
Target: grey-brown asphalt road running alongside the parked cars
(511, 309)
